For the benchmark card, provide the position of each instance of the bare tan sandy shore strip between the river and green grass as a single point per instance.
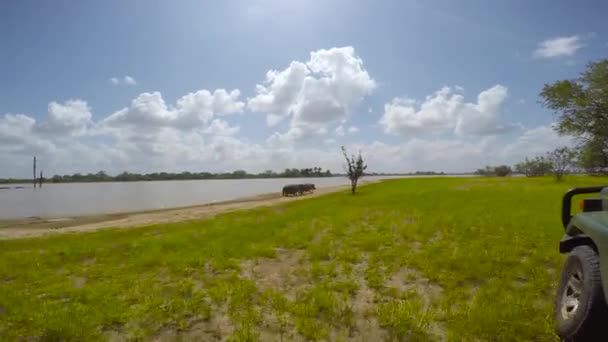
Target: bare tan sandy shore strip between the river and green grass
(18, 229)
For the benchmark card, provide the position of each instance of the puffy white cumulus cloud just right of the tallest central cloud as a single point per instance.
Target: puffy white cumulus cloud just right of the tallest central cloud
(446, 110)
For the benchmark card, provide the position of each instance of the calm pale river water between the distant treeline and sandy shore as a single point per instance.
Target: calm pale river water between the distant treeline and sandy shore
(76, 199)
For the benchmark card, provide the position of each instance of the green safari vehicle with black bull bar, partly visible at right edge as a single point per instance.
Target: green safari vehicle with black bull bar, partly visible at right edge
(581, 310)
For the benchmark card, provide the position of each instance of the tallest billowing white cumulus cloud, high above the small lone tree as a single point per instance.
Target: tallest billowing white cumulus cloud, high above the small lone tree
(313, 94)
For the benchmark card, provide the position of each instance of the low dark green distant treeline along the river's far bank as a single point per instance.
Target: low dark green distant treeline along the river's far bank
(102, 176)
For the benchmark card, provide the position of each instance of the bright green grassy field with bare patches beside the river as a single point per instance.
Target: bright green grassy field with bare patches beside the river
(423, 259)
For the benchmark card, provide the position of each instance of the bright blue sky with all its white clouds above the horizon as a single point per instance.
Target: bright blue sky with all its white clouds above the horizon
(150, 86)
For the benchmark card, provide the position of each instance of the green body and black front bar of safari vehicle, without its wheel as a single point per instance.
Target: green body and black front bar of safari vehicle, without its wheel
(589, 227)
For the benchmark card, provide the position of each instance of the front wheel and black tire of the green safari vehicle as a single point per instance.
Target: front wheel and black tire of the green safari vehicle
(580, 307)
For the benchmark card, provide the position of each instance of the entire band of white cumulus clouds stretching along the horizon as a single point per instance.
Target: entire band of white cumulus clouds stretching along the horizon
(313, 98)
